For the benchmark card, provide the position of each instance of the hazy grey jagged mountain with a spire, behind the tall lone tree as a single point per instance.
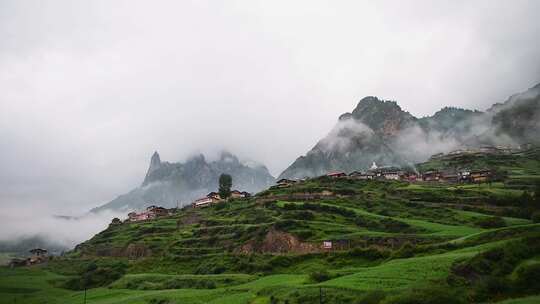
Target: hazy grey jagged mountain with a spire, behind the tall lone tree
(168, 184)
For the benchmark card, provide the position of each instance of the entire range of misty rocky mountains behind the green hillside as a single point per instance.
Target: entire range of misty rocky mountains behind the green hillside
(375, 131)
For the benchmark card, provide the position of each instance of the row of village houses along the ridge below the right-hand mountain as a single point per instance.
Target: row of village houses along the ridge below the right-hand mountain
(395, 173)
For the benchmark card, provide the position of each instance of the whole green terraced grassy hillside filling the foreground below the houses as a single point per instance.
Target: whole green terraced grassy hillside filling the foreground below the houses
(393, 242)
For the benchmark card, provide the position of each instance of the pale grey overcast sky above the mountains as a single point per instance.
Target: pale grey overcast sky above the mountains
(89, 89)
